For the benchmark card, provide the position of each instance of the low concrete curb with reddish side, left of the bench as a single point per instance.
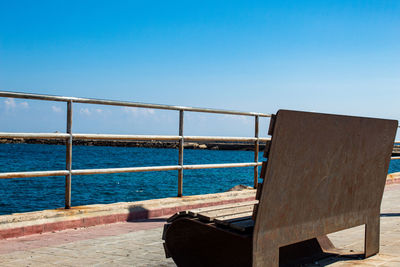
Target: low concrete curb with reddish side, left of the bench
(22, 224)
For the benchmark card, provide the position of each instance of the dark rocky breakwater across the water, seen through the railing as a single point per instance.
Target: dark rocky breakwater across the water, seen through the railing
(148, 144)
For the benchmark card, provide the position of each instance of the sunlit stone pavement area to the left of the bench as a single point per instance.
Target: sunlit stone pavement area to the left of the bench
(119, 244)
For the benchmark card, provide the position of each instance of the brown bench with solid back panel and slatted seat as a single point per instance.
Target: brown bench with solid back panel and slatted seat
(324, 173)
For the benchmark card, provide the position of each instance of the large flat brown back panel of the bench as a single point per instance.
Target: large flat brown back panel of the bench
(324, 173)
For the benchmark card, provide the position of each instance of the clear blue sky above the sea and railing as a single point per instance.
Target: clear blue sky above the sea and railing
(326, 56)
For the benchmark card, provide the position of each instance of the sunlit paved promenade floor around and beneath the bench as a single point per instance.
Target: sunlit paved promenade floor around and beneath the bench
(140, 244)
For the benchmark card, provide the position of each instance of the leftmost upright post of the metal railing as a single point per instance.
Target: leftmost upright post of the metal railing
(68, 160)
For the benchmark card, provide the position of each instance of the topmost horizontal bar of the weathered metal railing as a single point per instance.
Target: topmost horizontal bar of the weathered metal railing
(125, 103)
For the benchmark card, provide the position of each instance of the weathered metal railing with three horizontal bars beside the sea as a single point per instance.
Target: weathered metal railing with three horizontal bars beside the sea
(69, 136)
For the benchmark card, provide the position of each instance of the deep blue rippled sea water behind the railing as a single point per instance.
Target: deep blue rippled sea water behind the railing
(29, 194)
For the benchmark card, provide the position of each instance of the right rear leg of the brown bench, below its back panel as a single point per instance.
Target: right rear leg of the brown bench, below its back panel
(371, 245)
